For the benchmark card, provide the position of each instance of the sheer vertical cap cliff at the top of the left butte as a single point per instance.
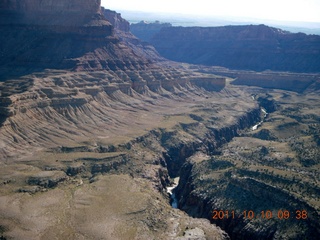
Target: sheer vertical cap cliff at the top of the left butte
(48, 12)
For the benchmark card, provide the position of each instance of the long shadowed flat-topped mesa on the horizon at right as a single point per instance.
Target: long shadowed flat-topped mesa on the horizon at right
(241, 47)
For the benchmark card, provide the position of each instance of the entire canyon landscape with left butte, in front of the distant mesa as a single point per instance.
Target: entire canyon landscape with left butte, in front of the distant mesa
(95, 125)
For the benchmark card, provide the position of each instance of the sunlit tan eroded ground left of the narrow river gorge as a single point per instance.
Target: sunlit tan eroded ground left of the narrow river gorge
(68, 152)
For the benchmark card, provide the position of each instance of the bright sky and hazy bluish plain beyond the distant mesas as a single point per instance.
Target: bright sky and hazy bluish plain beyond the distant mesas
(293, 15)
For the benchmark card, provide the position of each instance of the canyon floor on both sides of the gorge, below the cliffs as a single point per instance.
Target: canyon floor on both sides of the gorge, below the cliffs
(84, 162)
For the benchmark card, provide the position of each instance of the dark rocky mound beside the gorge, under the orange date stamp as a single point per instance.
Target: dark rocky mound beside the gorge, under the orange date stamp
(237, 193)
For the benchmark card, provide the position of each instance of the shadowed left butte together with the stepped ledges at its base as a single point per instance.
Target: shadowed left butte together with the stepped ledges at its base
(92, 44)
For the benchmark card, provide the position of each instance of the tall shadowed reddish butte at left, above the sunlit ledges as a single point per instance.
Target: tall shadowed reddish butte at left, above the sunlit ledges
(60, 34)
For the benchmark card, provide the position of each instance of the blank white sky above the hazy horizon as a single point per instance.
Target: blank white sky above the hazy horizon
(277, 10)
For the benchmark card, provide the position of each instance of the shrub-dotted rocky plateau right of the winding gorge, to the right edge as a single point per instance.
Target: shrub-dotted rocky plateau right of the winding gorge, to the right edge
(272, 168)
